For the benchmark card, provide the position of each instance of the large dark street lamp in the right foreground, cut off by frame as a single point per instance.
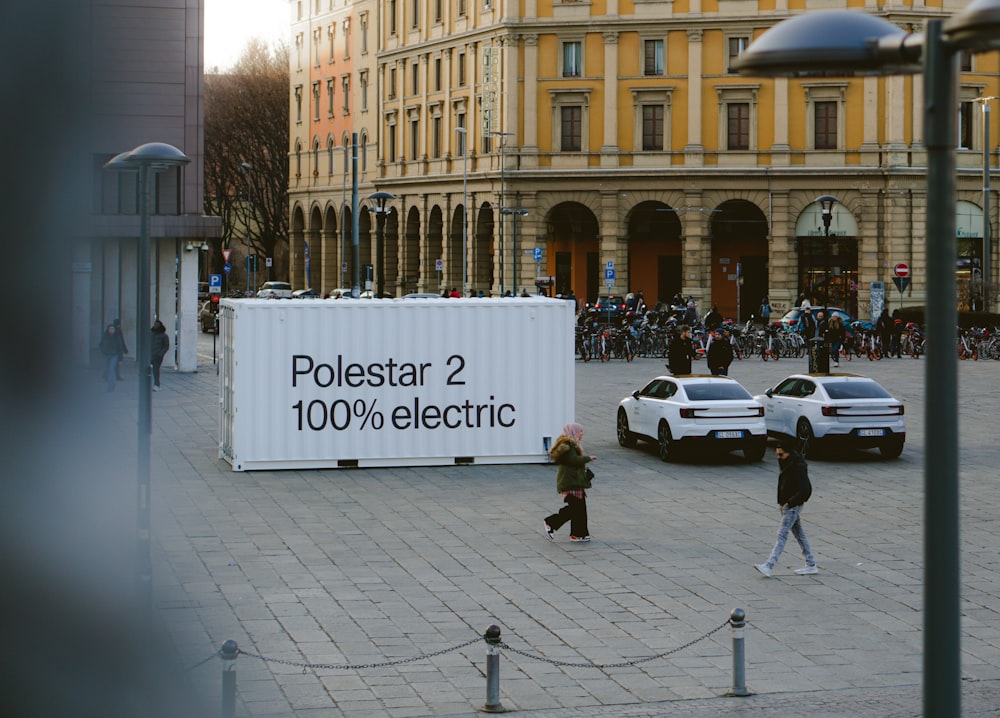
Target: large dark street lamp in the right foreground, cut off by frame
(846, 43)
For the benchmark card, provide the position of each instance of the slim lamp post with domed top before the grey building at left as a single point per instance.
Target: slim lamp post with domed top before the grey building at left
(146, 159)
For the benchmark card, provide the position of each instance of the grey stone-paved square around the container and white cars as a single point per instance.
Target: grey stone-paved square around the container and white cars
(363, 567)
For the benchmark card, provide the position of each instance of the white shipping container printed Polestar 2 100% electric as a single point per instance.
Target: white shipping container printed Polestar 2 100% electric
(404, 382)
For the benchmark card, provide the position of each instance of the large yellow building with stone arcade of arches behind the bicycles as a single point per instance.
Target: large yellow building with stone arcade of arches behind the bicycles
(612, 148)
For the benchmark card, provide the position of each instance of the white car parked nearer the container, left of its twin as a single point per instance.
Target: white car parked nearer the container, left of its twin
(715, 412)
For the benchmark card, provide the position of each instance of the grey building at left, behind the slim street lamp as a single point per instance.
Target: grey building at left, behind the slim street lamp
(146, 85)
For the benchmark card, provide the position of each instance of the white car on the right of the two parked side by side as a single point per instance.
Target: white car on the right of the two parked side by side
(842, 409)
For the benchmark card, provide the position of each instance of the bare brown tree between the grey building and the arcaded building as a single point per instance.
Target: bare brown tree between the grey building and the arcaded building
(246, 157)
